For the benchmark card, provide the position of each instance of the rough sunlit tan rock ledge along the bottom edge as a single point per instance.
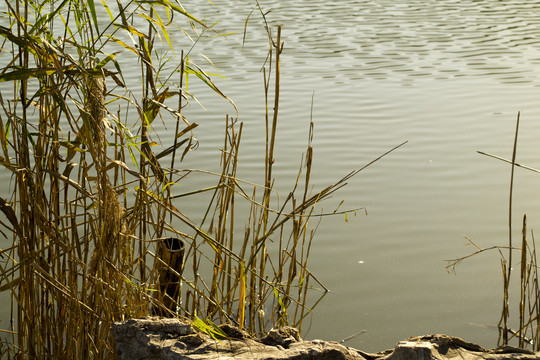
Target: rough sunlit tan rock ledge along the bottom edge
(172, 339)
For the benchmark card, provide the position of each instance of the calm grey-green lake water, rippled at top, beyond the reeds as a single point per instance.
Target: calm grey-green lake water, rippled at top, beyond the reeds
(448, 76)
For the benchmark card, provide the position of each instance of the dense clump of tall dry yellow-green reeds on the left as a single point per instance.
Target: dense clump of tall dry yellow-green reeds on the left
(93, 195)
